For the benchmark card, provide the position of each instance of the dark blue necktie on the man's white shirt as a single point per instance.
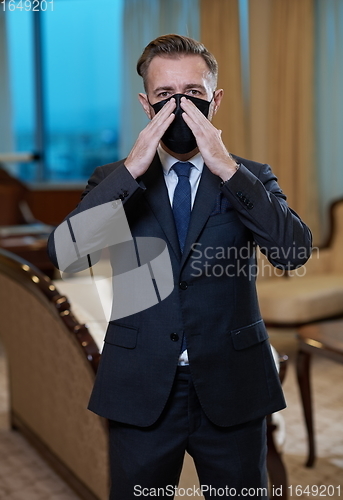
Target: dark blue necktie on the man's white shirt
(182, 200)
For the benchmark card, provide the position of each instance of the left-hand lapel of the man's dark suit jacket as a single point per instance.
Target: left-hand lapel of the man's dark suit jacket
(157, 197)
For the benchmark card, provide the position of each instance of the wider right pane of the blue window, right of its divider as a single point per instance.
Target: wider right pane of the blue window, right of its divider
(82, 79)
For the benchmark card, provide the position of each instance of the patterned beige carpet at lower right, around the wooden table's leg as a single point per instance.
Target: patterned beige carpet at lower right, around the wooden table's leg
(327, 384)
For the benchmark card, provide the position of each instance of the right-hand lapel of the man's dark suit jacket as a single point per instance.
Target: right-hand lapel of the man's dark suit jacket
(203, 205)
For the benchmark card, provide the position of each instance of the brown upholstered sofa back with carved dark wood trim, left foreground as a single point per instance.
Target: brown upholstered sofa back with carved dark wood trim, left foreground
(52, 360)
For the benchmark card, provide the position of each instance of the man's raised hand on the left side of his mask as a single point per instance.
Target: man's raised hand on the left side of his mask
(145, 147)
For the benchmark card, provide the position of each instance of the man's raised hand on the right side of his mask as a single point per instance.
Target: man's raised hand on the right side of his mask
(209, 141)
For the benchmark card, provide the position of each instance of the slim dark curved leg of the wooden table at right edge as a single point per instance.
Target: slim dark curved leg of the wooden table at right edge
(303, 375)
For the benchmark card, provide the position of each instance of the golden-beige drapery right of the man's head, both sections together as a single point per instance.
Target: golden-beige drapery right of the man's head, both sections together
(278, 128)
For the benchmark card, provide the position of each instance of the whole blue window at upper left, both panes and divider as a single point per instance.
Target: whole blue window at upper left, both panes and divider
(79, 48)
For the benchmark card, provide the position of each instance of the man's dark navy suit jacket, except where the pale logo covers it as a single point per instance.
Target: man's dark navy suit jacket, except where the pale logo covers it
(214, 300)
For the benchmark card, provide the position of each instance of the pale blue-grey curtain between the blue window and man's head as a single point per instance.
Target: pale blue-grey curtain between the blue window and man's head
(143, 21)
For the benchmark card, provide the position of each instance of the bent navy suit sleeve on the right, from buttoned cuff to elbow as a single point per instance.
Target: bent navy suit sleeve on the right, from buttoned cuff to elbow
(262, 207)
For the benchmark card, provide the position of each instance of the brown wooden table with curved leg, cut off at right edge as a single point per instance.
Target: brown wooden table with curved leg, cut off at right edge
(324, 339)
